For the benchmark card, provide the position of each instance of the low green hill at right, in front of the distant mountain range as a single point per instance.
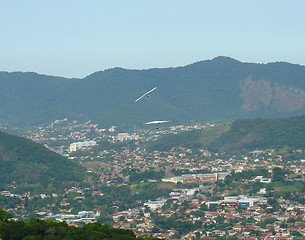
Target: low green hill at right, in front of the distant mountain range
(241, 135)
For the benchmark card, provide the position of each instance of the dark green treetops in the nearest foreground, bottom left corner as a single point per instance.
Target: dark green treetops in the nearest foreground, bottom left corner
(37, 229)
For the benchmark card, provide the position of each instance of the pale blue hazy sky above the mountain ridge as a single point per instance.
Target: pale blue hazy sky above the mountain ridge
(74, 38)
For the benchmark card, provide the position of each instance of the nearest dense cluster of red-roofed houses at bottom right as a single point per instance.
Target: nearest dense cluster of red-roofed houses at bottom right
(250, 222)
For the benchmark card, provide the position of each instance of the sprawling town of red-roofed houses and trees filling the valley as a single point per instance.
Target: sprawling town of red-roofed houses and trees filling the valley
(199, 195)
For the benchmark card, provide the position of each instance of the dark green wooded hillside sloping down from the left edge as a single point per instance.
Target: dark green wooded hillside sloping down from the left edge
(31, 166)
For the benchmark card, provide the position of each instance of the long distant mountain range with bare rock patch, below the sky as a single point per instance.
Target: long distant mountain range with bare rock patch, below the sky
(219, 89)
